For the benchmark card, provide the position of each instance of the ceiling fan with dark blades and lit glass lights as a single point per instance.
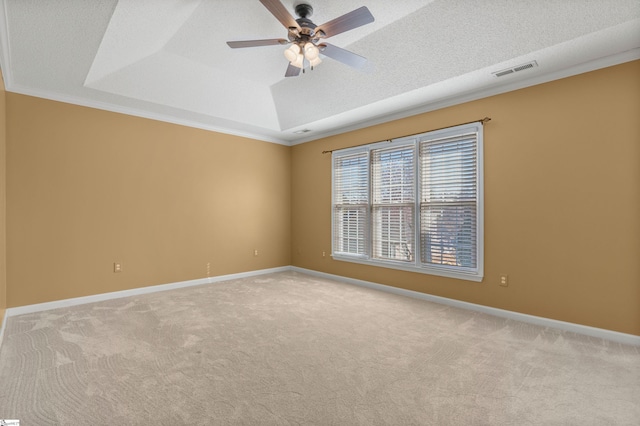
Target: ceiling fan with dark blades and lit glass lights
(305, 37)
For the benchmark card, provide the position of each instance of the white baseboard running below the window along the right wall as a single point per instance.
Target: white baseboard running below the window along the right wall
(628, 339)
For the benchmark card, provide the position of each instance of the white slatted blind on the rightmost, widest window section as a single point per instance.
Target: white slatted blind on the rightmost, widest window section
(449, 201)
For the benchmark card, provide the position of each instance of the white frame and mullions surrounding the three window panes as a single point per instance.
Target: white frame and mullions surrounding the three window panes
(458, 272)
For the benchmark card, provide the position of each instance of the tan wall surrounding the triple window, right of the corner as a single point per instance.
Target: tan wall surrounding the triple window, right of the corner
(562, 200)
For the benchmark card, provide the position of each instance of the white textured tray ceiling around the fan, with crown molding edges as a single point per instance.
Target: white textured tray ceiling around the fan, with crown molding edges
(168, 59)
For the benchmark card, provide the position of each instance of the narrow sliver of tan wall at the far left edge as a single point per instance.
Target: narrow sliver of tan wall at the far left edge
(3, 210)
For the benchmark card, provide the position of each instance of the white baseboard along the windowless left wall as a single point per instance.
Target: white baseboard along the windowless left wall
(28, 309)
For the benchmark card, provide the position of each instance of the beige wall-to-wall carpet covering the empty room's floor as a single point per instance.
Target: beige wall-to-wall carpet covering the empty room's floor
(290, 349)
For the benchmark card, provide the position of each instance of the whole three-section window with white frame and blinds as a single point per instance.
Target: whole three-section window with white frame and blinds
(413, 204)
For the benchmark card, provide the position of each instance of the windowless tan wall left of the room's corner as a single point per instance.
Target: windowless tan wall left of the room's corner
(87, 188)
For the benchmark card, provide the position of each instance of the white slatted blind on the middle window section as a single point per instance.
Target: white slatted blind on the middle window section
(393, 204)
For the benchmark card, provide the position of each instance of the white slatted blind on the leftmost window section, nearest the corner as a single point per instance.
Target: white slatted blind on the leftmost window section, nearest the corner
(351, 203)
